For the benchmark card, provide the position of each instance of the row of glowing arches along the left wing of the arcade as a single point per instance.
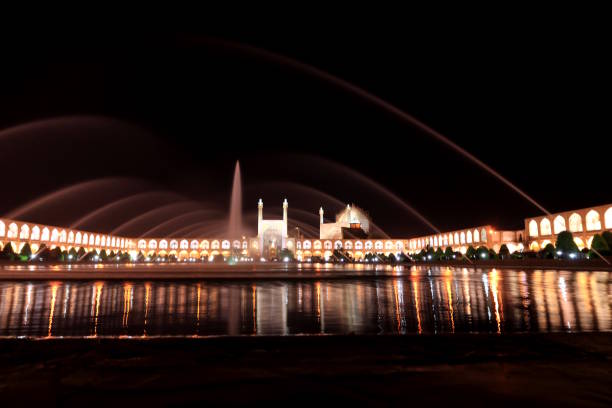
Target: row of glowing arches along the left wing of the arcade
(25, 232)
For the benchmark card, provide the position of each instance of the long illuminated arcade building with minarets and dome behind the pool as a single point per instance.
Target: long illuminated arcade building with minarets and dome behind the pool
(349, 234)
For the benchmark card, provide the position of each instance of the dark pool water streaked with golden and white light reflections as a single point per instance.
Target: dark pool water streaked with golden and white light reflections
(419, 301)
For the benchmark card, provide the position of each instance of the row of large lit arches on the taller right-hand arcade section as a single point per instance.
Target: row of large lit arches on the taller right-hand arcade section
(574, 223)
